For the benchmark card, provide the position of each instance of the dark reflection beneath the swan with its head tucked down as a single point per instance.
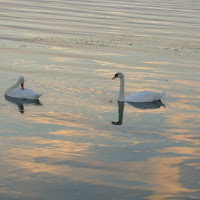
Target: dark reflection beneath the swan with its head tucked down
(20, 102)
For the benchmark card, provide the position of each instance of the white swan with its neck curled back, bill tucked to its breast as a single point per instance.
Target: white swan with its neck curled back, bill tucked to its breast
(21, 93)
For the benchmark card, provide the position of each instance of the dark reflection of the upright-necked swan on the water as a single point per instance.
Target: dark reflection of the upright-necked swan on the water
(142, 106)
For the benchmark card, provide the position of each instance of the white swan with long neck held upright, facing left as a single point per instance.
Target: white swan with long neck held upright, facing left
(144, 96)
